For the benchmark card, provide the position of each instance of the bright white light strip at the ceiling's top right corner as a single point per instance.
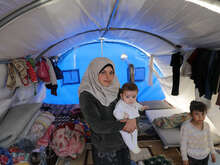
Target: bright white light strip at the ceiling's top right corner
(211, 6)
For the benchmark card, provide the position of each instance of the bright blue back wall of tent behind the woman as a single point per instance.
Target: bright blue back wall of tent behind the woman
(68, 93)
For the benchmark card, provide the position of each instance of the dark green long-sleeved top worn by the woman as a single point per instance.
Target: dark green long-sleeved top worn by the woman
(105, 135)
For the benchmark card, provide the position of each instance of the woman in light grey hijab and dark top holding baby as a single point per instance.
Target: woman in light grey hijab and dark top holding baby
(98, 95)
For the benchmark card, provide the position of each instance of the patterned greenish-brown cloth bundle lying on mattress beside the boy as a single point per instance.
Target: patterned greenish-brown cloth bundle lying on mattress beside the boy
(172, 121)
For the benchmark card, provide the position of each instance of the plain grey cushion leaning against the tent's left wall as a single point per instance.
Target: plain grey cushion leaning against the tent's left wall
(15, 121)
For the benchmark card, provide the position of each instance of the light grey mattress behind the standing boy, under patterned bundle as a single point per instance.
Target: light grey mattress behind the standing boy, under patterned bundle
(171, 137)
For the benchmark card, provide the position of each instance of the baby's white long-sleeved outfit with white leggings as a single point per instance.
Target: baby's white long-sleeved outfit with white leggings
(121, 108)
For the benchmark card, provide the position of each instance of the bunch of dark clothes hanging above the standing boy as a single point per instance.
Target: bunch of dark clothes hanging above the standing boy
(205, 71)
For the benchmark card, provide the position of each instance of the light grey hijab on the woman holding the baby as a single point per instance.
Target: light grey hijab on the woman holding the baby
(91, 84)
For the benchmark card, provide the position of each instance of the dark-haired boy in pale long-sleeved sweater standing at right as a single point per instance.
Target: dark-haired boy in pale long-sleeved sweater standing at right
(196, 142)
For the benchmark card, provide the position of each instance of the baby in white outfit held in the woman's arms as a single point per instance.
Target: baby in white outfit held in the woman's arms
(127, 108)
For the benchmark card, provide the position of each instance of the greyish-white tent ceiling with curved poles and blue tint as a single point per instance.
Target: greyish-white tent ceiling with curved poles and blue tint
(58, 25)
